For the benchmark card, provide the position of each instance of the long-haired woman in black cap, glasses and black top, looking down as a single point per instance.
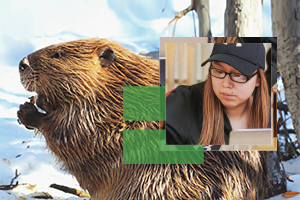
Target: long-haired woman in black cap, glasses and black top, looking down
(234, 96)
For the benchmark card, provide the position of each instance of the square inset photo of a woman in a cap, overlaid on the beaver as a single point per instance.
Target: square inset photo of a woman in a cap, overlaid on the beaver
(218, 94)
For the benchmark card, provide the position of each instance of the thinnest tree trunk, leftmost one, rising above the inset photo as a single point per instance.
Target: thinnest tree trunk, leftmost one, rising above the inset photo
(202, 9)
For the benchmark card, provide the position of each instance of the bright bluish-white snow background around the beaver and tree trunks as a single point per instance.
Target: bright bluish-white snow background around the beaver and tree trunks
(29, 25)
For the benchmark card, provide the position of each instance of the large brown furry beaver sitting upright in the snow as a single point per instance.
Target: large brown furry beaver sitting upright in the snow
(79, 86)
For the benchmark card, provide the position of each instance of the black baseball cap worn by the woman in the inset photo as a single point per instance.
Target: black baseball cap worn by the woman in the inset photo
(245, 57)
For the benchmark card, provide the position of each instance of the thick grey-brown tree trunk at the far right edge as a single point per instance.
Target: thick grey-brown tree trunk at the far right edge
(286, 27)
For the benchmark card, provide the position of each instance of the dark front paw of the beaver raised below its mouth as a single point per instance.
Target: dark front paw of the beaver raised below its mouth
(29, 116)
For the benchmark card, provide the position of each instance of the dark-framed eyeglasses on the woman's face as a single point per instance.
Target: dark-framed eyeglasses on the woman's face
(236, 77)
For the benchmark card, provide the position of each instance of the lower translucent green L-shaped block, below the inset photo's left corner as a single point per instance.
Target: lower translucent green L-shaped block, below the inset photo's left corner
(143, 147)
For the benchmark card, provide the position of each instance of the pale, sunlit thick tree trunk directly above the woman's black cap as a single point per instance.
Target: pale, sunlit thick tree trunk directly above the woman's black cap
(243, 18)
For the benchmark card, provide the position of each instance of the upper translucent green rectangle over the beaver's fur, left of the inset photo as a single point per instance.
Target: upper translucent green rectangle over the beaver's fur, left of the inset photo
(143, 103)
